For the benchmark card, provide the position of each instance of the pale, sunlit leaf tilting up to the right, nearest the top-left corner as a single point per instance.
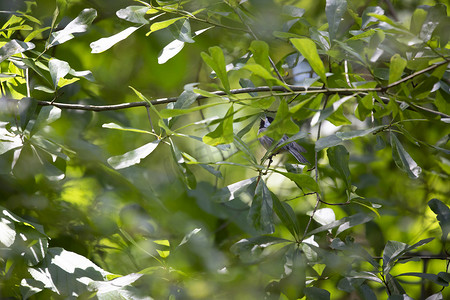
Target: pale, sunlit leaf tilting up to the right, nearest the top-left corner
(78, 25)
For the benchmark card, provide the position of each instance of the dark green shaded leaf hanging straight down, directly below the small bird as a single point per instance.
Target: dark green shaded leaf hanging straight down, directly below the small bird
(261, 209)
